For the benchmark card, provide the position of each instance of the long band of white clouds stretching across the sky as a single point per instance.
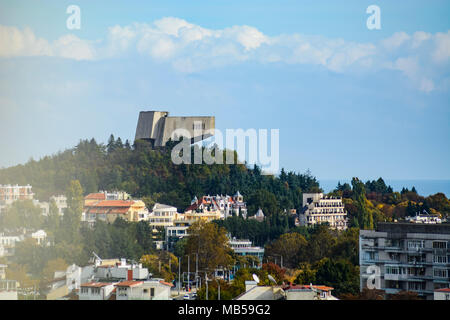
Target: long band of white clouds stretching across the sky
(422, 57)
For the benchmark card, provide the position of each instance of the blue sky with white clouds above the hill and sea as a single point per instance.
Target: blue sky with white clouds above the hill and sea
(348, 101)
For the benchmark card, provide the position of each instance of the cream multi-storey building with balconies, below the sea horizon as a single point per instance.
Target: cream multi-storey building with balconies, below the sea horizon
(318, 208)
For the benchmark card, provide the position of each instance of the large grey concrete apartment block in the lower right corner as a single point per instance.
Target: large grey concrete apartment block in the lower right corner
(405, 257)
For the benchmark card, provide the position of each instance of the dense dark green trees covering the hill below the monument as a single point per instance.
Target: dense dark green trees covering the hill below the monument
(150, 174)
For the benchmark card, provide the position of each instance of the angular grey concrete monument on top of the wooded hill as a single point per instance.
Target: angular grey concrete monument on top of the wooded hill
(158, 127)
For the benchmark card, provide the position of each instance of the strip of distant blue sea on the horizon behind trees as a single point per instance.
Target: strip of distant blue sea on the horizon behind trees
(423, 187)
